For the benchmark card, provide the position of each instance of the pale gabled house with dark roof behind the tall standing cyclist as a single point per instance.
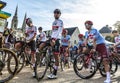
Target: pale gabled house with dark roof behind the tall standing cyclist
(73, 32)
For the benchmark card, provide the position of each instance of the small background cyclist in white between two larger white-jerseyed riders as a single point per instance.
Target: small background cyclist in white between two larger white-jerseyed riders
(40, 39)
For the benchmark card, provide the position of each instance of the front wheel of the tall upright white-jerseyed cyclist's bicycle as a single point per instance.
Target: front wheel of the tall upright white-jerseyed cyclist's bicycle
(41, 66)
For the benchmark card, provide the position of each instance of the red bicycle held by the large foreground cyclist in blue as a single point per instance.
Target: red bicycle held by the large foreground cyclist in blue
(91, 63)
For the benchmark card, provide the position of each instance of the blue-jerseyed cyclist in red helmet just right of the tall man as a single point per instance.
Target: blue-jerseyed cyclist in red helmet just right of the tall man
(65, 45)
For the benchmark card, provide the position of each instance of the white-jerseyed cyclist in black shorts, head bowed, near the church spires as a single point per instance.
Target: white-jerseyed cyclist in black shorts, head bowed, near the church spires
(30, 33)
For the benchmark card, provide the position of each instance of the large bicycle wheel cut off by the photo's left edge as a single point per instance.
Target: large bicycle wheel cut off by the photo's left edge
(8, 63)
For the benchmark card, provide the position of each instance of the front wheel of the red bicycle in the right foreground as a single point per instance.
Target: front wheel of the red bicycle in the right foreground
(82, 70)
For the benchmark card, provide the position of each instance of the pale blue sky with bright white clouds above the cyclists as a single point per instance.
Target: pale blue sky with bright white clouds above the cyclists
(74, 12)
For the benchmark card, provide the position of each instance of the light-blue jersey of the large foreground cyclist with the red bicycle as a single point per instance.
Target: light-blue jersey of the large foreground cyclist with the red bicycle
(94, 34)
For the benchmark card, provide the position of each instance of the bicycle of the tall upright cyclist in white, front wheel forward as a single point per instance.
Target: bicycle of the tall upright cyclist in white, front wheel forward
(44, 61)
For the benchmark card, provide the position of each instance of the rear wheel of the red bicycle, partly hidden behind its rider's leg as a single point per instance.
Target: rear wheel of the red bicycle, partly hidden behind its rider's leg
(113, 68)
